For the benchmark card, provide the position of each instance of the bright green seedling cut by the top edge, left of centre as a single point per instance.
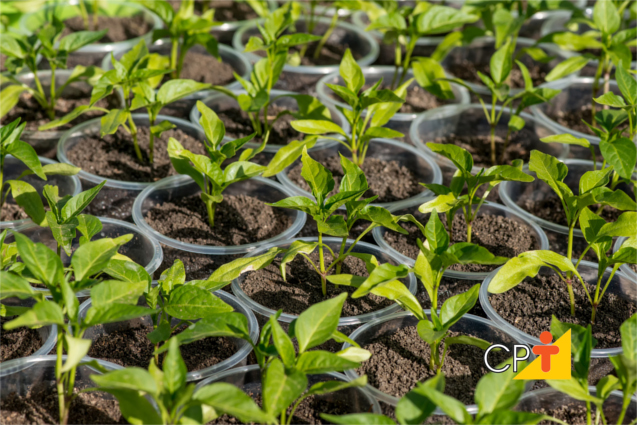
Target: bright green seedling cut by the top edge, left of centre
(185, 30)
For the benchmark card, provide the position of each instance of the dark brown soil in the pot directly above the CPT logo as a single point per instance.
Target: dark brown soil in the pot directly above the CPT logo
(530, 305)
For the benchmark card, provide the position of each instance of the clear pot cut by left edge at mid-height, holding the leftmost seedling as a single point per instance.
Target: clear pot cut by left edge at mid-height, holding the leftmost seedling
(67, 185)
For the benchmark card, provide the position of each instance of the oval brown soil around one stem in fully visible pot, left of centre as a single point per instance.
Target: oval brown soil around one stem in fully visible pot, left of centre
(239, 220)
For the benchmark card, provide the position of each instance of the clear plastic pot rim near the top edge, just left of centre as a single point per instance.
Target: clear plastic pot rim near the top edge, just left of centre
(344, 34)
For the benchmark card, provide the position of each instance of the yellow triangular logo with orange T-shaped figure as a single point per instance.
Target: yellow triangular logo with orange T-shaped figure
(554, 361)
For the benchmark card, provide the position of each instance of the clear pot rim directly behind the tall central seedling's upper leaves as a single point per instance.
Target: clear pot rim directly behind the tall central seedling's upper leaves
(400, 121)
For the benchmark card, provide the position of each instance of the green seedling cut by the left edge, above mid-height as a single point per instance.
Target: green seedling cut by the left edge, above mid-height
(23, 193)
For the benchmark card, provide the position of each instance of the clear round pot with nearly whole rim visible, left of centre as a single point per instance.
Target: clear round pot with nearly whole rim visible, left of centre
(175, 187)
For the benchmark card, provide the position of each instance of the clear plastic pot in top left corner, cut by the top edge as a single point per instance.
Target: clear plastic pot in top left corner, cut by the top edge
(93, 53)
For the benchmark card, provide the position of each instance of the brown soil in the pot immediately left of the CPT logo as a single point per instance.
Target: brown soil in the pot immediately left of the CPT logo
(400, 359)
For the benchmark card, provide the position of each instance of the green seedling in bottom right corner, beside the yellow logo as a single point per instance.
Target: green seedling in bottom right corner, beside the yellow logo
(582, 342)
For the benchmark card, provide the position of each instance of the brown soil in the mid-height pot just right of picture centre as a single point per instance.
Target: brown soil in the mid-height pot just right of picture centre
(502, 236)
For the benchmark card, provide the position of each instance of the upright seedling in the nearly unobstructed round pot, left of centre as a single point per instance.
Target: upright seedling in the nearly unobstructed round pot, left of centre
(206, 170)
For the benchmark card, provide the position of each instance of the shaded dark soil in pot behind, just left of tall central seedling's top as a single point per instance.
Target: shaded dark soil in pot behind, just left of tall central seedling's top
(238, 125)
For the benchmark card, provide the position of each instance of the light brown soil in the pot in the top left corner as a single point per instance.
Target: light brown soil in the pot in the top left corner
(119, 29)
